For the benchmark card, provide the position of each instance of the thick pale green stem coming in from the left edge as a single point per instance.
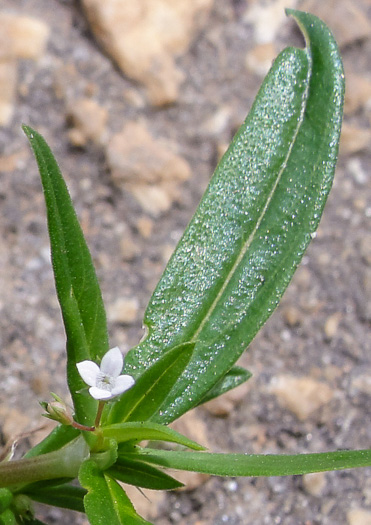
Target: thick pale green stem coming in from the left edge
(62, 463)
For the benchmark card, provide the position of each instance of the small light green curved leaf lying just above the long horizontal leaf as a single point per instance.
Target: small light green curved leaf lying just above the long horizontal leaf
(137, 431)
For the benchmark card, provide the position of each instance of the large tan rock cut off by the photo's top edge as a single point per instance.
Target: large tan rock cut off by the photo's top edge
(144, 37)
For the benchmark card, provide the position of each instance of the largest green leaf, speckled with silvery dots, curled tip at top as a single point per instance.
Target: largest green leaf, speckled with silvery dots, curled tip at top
(254, 222)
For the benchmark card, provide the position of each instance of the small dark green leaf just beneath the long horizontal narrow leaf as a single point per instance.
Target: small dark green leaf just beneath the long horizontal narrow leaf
(142, 475)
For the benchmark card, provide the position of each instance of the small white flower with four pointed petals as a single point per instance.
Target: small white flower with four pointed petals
(106, 382)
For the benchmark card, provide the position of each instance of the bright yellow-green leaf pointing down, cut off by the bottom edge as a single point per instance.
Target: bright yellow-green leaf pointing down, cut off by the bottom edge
(106, 502)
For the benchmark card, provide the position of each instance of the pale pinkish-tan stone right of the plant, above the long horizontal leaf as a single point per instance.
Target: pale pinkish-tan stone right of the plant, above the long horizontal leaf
(301, 395)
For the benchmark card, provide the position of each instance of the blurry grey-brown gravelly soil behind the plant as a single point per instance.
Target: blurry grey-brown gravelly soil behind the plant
(311, 365)
